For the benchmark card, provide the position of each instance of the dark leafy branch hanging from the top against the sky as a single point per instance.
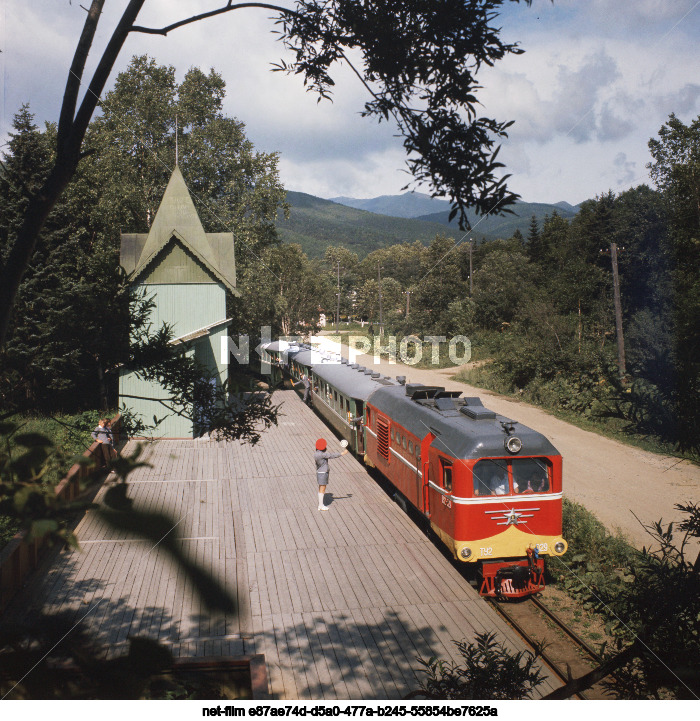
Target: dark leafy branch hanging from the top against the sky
(419, 63)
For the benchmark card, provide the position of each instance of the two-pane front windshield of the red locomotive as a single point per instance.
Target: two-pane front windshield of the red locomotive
(500, 477)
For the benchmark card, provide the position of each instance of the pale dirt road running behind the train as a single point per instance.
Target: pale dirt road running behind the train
(615, 481)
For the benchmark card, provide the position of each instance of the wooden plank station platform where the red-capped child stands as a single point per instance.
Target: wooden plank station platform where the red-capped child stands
(340, 602)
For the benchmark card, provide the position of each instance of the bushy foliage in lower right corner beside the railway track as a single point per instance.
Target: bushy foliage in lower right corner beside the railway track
(649, 600)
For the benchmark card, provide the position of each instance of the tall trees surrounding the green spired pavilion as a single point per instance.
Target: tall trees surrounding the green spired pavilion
(77, 319)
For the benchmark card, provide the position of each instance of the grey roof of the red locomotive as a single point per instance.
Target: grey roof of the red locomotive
(463, 428)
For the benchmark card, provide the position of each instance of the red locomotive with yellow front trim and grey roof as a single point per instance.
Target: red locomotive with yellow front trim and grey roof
(491, 488)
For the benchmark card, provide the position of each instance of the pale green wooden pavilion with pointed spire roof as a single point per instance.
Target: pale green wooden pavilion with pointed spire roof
(187, 273)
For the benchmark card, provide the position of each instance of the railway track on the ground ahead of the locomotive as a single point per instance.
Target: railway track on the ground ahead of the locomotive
(565, 653)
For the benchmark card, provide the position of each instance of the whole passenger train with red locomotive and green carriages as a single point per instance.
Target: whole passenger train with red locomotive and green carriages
(491, 488)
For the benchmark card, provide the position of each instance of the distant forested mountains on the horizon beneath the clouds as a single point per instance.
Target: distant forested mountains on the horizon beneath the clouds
(315, 223)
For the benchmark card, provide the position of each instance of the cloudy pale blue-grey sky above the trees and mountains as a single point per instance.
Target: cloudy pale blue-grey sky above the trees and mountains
(597, 80)
